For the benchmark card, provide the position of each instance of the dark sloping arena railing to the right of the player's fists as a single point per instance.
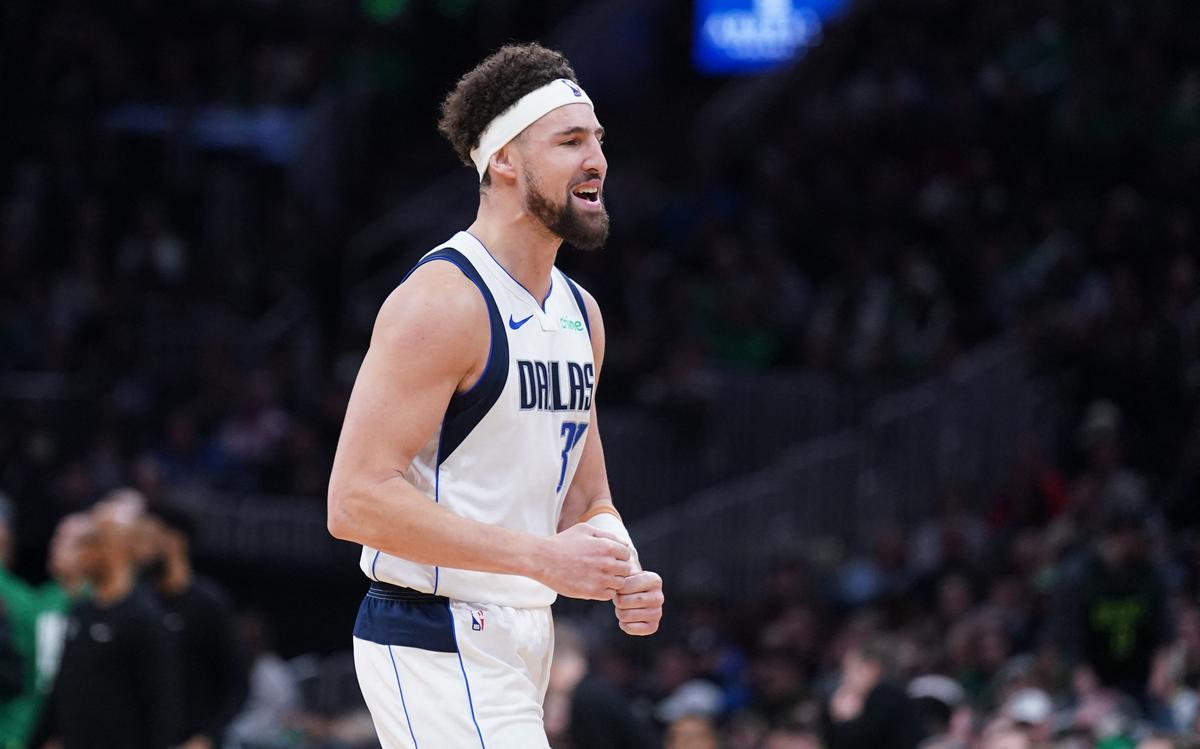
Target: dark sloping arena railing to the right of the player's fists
(964, 429)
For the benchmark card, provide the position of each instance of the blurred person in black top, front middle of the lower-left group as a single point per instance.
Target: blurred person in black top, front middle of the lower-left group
(115, 687)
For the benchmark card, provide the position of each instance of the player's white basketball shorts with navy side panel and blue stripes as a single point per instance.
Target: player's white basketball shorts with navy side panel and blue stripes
(440, 674)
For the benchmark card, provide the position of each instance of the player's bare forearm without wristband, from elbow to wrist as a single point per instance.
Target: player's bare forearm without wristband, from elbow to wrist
(397, 519)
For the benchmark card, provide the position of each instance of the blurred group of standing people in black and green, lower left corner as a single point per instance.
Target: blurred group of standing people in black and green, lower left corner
(128, 646)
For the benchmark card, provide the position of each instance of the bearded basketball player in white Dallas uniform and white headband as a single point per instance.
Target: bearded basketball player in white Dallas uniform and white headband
(470, 465)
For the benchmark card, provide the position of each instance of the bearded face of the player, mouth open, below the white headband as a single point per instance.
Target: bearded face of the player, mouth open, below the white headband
(561, 176)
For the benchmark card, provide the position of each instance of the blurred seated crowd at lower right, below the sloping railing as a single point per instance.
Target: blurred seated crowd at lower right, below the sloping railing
(1064, 615)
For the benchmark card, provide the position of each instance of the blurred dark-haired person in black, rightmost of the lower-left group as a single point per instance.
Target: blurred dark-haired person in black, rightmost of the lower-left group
(197, 616)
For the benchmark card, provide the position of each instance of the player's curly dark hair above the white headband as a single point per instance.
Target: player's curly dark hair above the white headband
(493, 87)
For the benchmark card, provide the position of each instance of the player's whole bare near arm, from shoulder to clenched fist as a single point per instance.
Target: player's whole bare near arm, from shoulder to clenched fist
(431, 339)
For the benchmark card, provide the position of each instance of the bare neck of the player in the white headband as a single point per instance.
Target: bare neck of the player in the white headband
(520, 243)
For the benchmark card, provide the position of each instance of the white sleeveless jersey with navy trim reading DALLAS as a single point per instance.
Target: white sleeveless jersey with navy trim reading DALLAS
(507, 450)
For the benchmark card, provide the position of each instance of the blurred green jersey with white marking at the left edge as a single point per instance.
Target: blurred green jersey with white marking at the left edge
(37, 626)
